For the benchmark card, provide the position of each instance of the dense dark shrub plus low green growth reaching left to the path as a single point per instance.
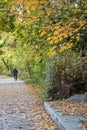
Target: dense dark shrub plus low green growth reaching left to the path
(65, 75)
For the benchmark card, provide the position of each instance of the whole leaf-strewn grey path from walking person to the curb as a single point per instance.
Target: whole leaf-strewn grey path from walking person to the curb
(20, 109)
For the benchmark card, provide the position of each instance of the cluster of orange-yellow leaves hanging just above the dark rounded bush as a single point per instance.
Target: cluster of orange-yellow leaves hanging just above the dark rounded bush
(60, 33)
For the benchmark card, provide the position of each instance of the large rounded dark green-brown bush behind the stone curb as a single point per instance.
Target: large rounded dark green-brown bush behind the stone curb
(68, 75)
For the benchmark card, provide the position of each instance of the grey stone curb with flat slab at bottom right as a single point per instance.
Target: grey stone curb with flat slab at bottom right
(63, 120)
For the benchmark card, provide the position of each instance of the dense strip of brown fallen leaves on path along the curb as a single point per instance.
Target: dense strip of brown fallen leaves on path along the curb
(39, 116)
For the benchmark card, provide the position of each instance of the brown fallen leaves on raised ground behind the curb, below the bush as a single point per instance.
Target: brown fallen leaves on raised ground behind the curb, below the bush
(73, 108)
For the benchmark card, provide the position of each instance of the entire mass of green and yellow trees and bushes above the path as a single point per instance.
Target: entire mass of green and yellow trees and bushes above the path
(40, 37)
